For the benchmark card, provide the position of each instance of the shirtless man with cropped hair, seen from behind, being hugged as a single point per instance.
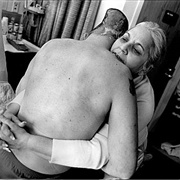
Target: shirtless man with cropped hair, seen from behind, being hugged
(70, 88)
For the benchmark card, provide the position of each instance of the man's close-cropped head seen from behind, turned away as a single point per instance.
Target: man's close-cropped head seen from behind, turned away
(114, 24)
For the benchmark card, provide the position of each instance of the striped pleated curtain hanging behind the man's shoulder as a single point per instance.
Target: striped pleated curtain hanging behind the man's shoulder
(68, 19)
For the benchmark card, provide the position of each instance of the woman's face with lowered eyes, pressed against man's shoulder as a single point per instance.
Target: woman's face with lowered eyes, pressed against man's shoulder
(132, 48)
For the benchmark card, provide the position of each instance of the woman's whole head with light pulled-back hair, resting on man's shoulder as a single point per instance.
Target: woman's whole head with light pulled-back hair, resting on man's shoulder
(140, 47)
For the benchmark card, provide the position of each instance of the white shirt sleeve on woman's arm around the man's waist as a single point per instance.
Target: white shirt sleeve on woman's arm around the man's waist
(91, 154)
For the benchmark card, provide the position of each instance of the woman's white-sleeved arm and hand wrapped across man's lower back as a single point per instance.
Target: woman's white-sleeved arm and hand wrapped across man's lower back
(74, 153)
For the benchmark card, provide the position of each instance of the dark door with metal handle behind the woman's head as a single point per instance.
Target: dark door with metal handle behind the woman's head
(158, 75)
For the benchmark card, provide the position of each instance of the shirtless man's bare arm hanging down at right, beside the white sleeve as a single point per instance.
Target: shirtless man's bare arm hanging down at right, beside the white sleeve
(122, 138)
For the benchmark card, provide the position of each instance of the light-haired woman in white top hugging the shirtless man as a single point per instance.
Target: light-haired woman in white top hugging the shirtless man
(140, 49)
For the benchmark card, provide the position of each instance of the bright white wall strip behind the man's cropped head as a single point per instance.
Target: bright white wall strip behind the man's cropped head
(131, 8)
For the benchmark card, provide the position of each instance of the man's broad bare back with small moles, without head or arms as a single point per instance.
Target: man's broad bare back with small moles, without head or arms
(70, 89)
